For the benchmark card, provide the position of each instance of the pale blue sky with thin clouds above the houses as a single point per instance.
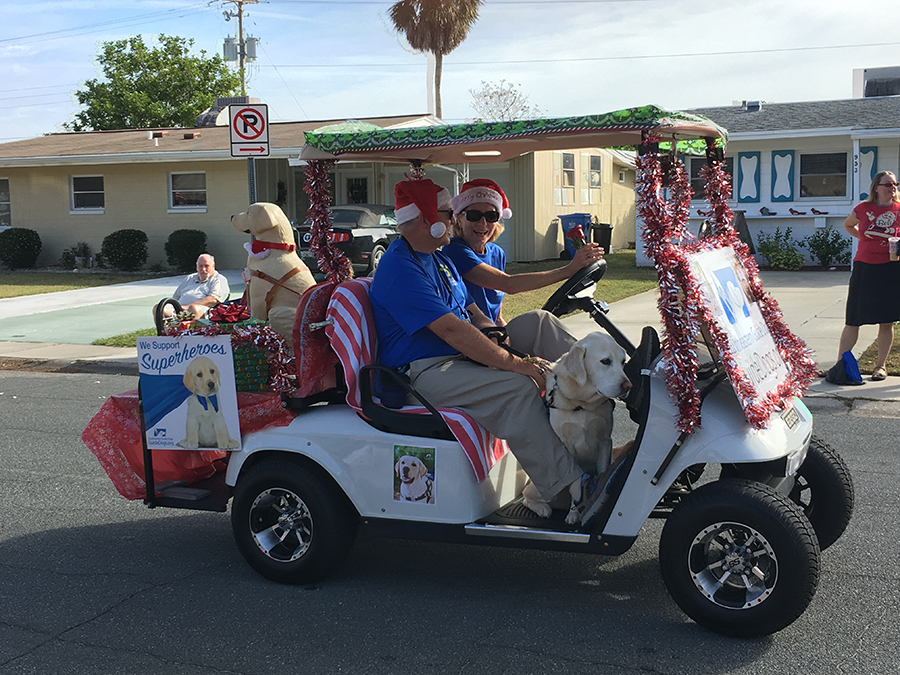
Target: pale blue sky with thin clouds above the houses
(331, 59)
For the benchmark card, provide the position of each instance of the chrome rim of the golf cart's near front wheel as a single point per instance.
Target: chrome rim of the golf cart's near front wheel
(733, 565)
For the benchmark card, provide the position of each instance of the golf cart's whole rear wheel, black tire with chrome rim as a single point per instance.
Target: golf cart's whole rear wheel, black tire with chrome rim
(290, 521)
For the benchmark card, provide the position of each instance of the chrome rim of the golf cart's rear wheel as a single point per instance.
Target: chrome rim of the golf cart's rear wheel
(281, 525)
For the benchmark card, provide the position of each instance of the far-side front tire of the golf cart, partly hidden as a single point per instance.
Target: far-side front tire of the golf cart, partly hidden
(824, 490)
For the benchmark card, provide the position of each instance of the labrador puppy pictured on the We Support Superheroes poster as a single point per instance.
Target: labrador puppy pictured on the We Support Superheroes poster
(205, 427)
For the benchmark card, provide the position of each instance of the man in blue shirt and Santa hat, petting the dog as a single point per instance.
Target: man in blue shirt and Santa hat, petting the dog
(424, 317)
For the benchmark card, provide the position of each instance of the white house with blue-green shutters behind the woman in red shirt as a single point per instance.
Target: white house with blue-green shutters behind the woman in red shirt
(804, 164)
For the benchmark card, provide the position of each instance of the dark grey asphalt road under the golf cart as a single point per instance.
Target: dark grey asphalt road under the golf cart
(91, 583)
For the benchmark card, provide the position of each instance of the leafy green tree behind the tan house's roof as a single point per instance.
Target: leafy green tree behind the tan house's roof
(141, 87)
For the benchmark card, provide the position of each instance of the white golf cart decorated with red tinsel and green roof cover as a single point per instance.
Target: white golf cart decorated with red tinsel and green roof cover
(724, 448)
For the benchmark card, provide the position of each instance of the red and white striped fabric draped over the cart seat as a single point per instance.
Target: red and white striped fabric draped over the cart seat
(352, 336)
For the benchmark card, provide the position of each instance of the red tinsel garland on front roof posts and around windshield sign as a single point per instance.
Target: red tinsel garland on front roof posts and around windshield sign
(683, 309)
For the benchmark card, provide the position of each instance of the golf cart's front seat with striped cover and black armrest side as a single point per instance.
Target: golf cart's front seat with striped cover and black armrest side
(351, 331)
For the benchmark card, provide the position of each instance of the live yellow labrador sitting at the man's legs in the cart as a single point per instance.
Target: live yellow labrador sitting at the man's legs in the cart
(580, 387)
